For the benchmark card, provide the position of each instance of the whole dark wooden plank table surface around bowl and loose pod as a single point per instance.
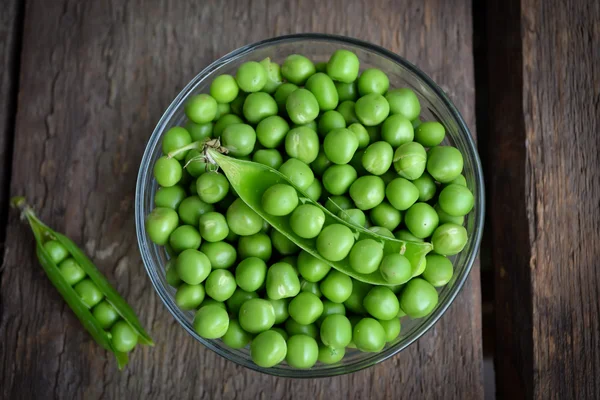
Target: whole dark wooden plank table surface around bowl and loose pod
(84, 83)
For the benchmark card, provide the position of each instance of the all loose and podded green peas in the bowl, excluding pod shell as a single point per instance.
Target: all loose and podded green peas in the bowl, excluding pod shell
(351, 143)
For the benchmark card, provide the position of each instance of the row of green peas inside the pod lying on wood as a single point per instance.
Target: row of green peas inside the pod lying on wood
(123, 337)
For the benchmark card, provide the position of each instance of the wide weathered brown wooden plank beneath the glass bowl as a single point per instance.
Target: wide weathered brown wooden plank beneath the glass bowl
(96, 78)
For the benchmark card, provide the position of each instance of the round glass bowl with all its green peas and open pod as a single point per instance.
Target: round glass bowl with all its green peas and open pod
(357, 139)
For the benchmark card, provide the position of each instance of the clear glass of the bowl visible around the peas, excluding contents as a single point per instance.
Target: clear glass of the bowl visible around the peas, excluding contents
(434, 105)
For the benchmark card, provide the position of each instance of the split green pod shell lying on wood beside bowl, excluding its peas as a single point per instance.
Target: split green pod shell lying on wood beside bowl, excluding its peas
(42, 234)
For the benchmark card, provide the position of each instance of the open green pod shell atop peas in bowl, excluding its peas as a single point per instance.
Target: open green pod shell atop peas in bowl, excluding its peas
(250, 180)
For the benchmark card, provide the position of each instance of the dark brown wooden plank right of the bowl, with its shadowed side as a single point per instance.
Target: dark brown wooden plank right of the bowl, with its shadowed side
(545, 124)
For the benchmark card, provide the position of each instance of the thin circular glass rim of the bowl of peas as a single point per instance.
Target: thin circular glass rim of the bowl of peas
(453, 291)
